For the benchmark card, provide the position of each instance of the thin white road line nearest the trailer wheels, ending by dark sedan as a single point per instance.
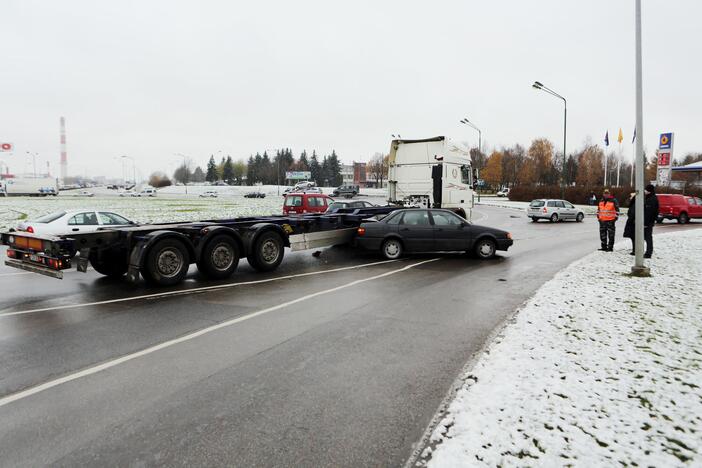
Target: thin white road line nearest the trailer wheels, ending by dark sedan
(189, 291)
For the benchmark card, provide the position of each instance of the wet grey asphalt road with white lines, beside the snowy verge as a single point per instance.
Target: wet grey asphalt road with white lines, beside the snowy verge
(339, 359)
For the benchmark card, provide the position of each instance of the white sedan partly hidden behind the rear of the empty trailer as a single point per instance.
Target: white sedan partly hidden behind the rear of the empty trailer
(68, 221)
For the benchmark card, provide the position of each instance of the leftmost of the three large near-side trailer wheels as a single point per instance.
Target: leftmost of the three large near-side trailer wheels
(166, 263)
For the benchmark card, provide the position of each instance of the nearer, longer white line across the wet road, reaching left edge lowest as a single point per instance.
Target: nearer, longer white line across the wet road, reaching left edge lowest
(166, 344)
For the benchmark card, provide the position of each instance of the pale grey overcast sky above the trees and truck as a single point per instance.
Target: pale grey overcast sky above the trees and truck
(149, 79)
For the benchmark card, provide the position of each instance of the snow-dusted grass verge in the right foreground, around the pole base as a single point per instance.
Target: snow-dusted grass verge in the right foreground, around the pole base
(597, 369)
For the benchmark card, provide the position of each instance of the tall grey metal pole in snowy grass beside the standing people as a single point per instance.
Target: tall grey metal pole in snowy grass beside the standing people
(639, 269)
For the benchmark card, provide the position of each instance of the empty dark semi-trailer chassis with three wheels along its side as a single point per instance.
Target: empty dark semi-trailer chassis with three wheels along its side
(162, 253)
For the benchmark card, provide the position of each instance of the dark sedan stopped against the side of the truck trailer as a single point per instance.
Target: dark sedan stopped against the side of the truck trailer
(418, 230)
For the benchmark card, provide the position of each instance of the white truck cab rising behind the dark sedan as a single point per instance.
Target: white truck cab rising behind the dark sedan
(431, 173)
